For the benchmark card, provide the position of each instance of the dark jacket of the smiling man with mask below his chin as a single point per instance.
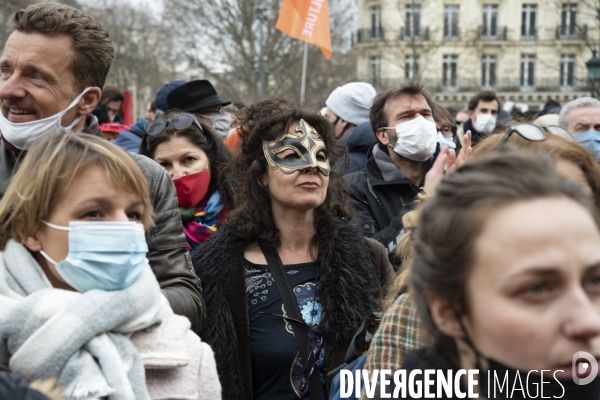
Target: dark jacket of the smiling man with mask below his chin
(167, 253)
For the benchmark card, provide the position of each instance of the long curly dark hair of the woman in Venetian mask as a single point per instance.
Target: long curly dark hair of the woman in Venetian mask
(252, 216)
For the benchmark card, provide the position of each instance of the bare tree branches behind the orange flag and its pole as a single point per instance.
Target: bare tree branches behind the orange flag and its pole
(220, 41)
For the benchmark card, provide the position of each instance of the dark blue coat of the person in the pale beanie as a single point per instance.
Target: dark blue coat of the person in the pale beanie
(358, 141)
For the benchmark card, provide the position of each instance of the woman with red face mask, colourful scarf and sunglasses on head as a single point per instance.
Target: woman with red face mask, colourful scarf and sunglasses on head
(194, 157)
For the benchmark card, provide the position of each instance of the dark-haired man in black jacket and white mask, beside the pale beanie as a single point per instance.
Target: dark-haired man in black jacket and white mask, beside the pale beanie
(406, 147)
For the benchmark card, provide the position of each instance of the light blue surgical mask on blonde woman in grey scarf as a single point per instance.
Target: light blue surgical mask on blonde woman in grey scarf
(102, 255)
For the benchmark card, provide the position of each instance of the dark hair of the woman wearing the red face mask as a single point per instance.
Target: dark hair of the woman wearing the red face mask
(218, 155)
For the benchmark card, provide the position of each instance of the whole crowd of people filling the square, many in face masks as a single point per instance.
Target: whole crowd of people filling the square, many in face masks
(214, 250)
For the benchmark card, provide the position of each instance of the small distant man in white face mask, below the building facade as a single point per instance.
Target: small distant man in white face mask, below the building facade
(483, 113)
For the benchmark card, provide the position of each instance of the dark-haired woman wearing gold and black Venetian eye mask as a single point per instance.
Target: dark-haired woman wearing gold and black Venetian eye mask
(291, 218)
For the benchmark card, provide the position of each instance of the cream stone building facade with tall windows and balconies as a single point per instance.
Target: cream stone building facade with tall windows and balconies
(528, 51)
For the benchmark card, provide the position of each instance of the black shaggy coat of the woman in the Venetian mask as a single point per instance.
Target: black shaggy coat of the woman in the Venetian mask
(352, 272)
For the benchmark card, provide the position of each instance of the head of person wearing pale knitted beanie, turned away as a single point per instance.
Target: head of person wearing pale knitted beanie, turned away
(348, 106)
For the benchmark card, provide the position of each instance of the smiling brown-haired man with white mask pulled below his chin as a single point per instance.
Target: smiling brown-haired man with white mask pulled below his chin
(40, 91)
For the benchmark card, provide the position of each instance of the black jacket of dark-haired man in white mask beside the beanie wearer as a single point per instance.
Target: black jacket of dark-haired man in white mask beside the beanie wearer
(381, 198)
